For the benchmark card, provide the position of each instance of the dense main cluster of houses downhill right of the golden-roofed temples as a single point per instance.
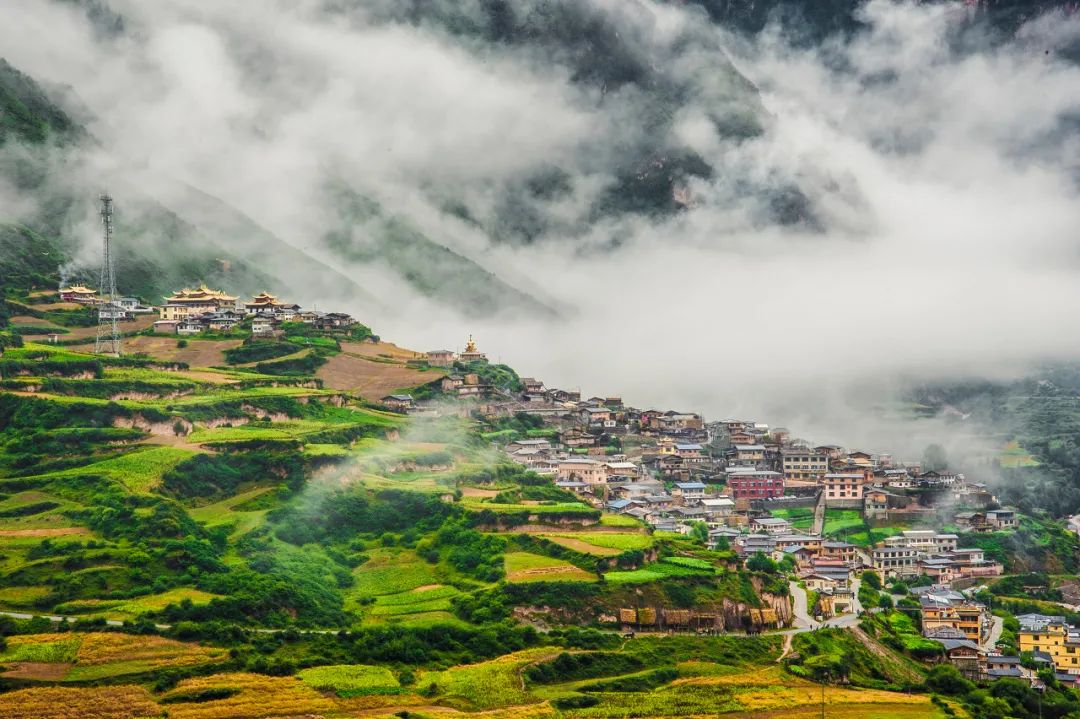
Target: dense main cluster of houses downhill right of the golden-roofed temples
(741, 480)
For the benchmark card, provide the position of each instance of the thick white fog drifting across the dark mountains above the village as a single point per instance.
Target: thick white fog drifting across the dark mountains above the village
(937, 174)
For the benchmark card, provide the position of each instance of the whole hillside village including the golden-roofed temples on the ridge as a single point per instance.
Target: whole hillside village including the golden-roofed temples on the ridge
(840, 523)
